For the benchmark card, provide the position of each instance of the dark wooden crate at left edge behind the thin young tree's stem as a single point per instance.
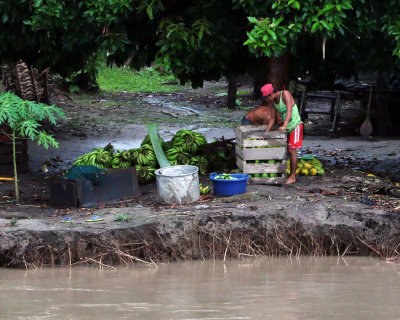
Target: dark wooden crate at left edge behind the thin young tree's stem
(6, 160)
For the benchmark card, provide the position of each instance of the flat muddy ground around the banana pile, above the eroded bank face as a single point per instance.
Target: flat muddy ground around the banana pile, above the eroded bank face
(361, 184)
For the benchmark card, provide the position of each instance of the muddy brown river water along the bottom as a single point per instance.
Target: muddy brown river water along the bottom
(264, 288)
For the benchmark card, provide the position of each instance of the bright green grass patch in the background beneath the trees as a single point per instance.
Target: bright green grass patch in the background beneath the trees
(117, 79)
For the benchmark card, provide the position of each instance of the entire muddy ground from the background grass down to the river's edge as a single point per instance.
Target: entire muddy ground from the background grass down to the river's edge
(353, 210)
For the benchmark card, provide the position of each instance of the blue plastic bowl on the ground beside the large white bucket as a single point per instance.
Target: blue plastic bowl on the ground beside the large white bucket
(229, 187)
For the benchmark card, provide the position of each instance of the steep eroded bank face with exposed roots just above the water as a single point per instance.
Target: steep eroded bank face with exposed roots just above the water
(200, 242)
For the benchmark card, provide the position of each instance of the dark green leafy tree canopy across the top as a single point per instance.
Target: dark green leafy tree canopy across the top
(204, 40)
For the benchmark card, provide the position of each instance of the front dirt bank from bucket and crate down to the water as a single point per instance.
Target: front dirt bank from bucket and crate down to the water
(317, 216)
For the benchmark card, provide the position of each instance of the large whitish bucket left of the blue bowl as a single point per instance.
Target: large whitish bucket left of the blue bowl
(178, 184)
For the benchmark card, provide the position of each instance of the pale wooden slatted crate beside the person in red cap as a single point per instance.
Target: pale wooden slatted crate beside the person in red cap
(253, 143)
